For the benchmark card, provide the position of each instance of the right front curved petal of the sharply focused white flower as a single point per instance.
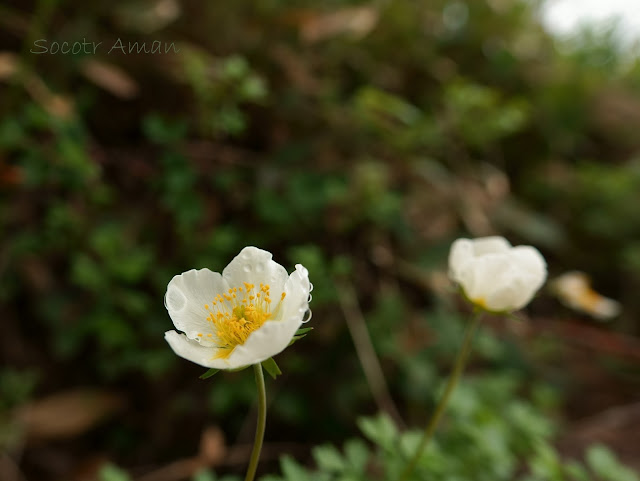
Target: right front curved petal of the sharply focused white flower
(274, 336)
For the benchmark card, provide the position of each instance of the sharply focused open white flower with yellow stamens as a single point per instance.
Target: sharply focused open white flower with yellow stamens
(242, 317)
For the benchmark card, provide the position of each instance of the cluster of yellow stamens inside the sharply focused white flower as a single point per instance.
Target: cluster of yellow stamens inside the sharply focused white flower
(234, 315)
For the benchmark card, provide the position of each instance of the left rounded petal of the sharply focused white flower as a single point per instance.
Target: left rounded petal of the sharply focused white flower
(186, 297)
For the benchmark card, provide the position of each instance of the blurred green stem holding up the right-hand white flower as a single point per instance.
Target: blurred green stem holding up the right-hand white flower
(442, 404)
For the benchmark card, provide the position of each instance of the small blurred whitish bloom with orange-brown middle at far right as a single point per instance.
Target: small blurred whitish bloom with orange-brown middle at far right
(574, 290)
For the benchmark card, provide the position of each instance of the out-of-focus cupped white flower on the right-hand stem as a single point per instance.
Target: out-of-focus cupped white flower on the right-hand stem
(494, 275)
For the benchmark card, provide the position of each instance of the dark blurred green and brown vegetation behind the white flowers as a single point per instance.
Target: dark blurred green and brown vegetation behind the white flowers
(357, 138)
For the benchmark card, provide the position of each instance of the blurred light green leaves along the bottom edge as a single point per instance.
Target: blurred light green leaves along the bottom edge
(480, 446)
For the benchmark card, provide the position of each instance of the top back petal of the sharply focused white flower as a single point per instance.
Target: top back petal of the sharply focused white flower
(255, 266)
